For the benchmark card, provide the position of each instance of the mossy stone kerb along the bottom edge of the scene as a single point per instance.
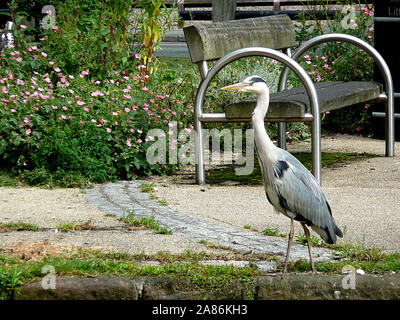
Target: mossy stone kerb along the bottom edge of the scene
(268, 287)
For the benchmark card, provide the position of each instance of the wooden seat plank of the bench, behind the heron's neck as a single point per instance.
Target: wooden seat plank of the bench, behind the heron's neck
(295, 103)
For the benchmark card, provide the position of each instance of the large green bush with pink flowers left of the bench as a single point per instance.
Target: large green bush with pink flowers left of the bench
(64, 127)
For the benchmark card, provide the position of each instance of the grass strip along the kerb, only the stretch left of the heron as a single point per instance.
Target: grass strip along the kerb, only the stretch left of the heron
(85, 263)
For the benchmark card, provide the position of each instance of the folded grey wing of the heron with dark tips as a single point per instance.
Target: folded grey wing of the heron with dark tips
(302, 195)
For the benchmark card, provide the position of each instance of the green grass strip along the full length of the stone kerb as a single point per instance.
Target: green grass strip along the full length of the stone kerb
(204, 278)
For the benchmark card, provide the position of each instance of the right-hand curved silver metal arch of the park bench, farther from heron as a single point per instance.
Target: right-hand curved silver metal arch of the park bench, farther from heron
(383, 67)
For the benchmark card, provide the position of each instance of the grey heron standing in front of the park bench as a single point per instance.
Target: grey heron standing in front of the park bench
(289, 186)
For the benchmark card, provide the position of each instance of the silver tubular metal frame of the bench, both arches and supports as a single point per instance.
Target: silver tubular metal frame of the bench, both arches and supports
(291, 65)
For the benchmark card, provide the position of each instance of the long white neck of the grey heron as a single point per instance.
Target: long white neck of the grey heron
(262, 140)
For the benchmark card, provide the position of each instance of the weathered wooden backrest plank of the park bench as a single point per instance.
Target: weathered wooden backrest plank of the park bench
(207, 42)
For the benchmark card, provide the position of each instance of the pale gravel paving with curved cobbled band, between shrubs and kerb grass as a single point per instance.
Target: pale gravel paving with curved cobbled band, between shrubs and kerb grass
(365, 197)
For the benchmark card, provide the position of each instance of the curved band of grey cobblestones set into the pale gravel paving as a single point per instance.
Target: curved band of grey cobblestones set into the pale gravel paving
(122, 197)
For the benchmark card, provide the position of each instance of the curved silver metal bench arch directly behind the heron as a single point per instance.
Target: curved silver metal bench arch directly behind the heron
(291, 64)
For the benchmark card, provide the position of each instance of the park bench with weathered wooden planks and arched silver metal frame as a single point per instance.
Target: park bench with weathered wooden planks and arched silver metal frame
(273, 37)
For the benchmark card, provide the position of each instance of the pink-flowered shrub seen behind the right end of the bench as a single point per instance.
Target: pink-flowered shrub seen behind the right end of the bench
(342, 61)
